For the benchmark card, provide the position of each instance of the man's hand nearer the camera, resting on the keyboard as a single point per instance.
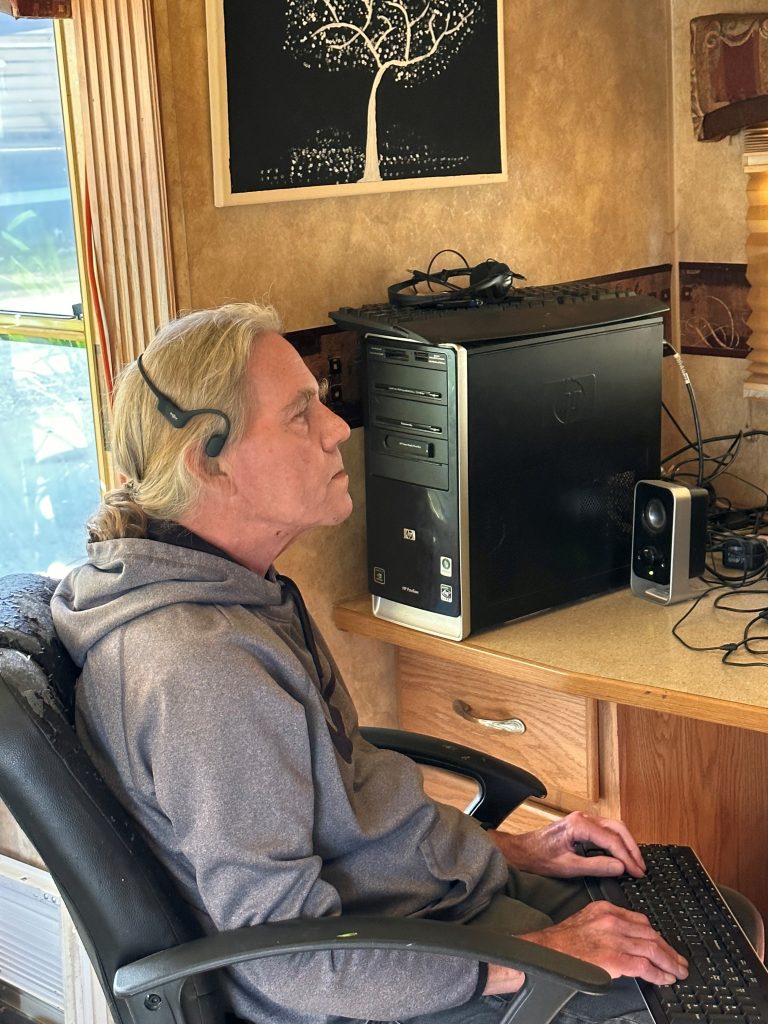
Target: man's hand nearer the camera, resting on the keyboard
(620, 942)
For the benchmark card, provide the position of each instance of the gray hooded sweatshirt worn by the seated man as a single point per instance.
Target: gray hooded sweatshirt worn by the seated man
(201, 704)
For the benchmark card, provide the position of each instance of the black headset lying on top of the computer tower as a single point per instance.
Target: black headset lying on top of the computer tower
(489, 282)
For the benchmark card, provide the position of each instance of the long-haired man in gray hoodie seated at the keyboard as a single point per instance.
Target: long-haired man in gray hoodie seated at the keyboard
(218, 716)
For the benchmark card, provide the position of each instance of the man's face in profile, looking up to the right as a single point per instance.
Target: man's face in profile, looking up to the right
(287, 471)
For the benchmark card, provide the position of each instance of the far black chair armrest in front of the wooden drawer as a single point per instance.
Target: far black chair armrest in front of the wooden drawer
(503, 787)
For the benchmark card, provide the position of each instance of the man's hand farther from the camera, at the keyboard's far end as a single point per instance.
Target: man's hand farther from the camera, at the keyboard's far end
(553, 849)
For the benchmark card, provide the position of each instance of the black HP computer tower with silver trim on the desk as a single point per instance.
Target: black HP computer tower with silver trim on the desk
(500, 472)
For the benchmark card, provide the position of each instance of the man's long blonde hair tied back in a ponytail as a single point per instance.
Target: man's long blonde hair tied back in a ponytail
(200, 361)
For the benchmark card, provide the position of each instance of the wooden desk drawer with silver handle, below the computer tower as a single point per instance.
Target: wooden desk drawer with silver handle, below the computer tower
(560, 742)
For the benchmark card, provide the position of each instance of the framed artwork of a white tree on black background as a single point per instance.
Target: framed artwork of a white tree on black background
(344, 98)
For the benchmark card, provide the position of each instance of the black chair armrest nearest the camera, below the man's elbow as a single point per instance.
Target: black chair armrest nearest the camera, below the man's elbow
(155, 983)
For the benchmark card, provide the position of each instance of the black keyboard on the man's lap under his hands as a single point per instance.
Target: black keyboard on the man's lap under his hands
(728, 984)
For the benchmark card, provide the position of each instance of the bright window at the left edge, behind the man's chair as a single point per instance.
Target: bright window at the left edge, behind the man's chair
(49, 467)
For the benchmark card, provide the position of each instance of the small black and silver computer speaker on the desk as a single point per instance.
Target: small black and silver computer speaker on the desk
(669, 540)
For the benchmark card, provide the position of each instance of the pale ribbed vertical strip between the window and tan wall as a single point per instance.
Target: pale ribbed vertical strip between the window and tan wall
(125, 173)
